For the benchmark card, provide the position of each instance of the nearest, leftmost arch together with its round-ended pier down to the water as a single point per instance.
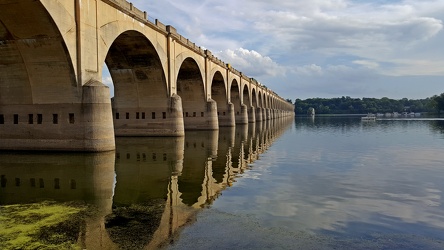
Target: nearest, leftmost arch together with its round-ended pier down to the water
(42, 104)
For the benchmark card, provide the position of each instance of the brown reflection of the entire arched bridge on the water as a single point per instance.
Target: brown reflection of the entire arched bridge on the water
(146, 190)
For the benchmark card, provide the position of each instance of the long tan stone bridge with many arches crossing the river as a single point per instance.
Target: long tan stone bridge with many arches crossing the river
(51, 57)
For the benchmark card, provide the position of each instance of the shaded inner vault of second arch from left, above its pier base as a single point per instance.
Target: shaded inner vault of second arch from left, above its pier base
(136, 72)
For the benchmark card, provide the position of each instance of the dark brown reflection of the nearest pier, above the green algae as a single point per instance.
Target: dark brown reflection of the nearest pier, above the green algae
(34, 177)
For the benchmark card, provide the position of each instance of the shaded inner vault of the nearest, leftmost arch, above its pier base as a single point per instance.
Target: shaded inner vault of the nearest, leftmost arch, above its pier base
(32, 49)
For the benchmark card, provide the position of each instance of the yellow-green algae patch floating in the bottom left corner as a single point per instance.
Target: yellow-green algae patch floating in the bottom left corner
(47, 225)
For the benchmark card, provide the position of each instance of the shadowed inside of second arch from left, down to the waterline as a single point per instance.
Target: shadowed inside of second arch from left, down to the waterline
(141, 104)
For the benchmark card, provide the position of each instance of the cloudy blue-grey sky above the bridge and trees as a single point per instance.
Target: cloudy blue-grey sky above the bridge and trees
(320, 48)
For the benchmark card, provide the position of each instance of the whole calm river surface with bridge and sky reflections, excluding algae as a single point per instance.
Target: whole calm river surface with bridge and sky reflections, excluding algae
(327, 183)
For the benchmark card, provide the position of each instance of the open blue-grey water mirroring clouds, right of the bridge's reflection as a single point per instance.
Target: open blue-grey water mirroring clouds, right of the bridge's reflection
(334, 183)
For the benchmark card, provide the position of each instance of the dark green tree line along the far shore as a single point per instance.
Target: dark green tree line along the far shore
(348, 105)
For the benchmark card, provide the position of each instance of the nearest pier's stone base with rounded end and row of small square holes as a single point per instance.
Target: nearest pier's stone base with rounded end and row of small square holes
(85, 126)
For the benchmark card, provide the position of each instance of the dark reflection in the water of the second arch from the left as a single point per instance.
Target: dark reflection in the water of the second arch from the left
(144, 169)
